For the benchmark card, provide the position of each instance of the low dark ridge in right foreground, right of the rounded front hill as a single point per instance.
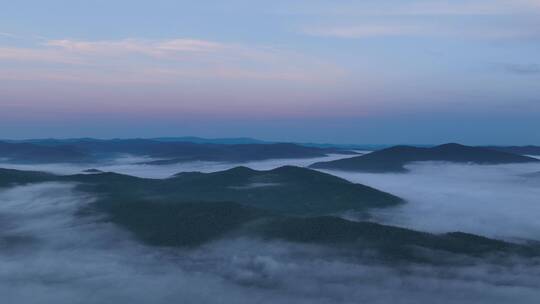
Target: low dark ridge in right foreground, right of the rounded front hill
(393, 242)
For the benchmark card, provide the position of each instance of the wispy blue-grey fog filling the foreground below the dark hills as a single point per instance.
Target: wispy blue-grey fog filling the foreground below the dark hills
(49, 255)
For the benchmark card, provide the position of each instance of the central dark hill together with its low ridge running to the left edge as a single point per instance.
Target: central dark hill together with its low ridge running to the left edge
(288, 190)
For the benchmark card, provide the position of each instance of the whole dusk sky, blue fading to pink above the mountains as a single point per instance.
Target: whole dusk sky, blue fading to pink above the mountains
(374, 72)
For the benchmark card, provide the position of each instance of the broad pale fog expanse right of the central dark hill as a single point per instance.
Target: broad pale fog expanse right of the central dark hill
(498, 201)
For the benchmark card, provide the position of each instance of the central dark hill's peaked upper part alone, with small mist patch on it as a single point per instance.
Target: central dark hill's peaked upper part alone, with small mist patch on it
(288, 189)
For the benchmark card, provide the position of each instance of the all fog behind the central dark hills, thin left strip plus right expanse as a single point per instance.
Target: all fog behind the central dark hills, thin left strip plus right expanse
(496, 200)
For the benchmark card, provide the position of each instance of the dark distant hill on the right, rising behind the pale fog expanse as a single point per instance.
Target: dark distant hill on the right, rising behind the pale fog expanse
(394, 159)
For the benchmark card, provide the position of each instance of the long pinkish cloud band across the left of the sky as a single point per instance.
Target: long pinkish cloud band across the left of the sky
(164, 61)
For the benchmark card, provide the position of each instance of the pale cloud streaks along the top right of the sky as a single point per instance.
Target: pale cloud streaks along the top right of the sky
(441, 20)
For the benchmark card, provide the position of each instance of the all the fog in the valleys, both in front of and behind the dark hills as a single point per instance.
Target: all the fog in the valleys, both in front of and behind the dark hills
(49, 253)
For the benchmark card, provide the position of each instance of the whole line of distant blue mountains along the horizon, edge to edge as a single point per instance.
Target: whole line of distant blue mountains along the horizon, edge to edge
(171, 150)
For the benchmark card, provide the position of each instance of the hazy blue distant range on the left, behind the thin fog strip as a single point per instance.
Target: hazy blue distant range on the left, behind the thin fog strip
(93, 150)
